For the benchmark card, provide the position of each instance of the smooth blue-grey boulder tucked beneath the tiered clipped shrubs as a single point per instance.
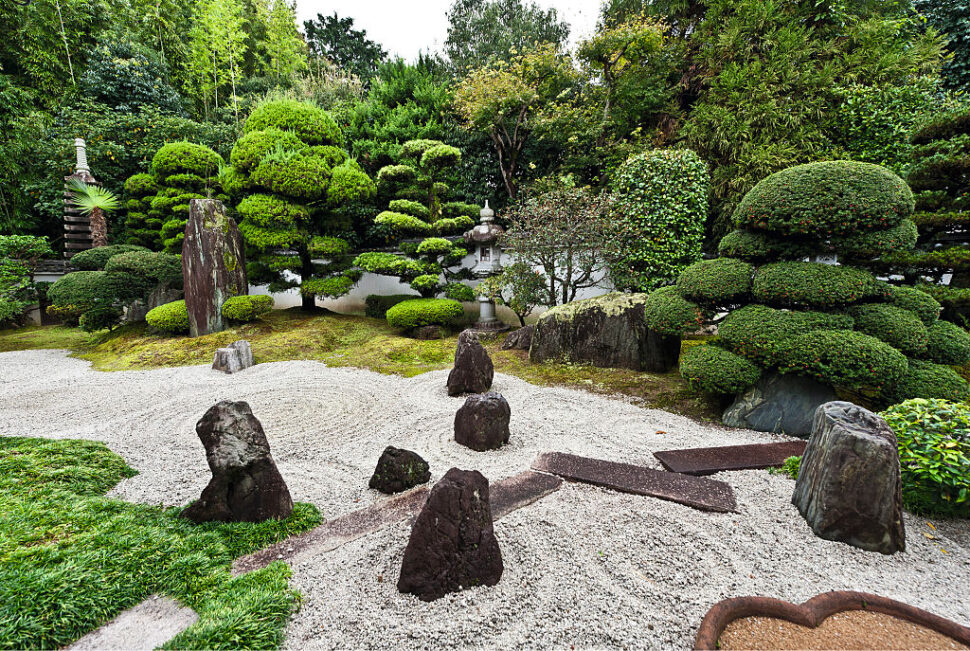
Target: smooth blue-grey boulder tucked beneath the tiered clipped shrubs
(779, 403)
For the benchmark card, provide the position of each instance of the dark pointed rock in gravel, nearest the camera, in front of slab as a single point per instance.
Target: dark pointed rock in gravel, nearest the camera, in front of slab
(452, 544)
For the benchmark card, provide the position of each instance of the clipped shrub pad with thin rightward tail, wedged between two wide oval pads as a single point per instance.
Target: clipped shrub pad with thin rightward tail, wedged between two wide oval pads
(756, 331)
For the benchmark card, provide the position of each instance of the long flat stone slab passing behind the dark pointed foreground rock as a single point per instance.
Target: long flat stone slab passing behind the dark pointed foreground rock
(507, 495)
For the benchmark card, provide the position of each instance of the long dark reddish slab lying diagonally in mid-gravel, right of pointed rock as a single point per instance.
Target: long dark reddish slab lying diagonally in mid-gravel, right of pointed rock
(697, 492)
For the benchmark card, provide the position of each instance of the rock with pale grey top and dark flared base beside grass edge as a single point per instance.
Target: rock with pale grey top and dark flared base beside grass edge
(246, 485)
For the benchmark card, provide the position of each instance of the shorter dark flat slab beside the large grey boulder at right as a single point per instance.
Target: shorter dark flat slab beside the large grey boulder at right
(707, 461)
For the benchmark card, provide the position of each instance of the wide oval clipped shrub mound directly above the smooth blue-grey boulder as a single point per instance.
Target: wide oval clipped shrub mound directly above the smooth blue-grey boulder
(845, 358)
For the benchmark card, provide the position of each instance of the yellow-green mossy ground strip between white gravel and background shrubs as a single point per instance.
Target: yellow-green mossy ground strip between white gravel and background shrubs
(363, 342)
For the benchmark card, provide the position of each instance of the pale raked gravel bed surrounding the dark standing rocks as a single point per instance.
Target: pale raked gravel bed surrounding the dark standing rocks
(584, 567)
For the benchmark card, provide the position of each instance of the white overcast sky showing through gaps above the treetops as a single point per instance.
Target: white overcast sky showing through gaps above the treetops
(405, 27)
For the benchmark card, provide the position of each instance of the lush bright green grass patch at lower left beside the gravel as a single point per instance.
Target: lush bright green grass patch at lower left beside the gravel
(71, 559)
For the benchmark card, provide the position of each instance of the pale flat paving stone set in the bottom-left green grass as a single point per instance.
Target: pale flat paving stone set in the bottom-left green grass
(146, 626)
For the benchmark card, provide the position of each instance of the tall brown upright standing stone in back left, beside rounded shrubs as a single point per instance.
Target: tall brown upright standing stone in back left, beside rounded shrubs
(213, 264)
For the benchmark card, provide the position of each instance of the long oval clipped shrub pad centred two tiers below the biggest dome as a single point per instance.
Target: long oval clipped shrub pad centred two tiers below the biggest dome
(814, 285)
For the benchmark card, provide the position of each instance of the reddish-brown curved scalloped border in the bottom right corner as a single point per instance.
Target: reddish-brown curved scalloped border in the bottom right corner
(811, 613)
